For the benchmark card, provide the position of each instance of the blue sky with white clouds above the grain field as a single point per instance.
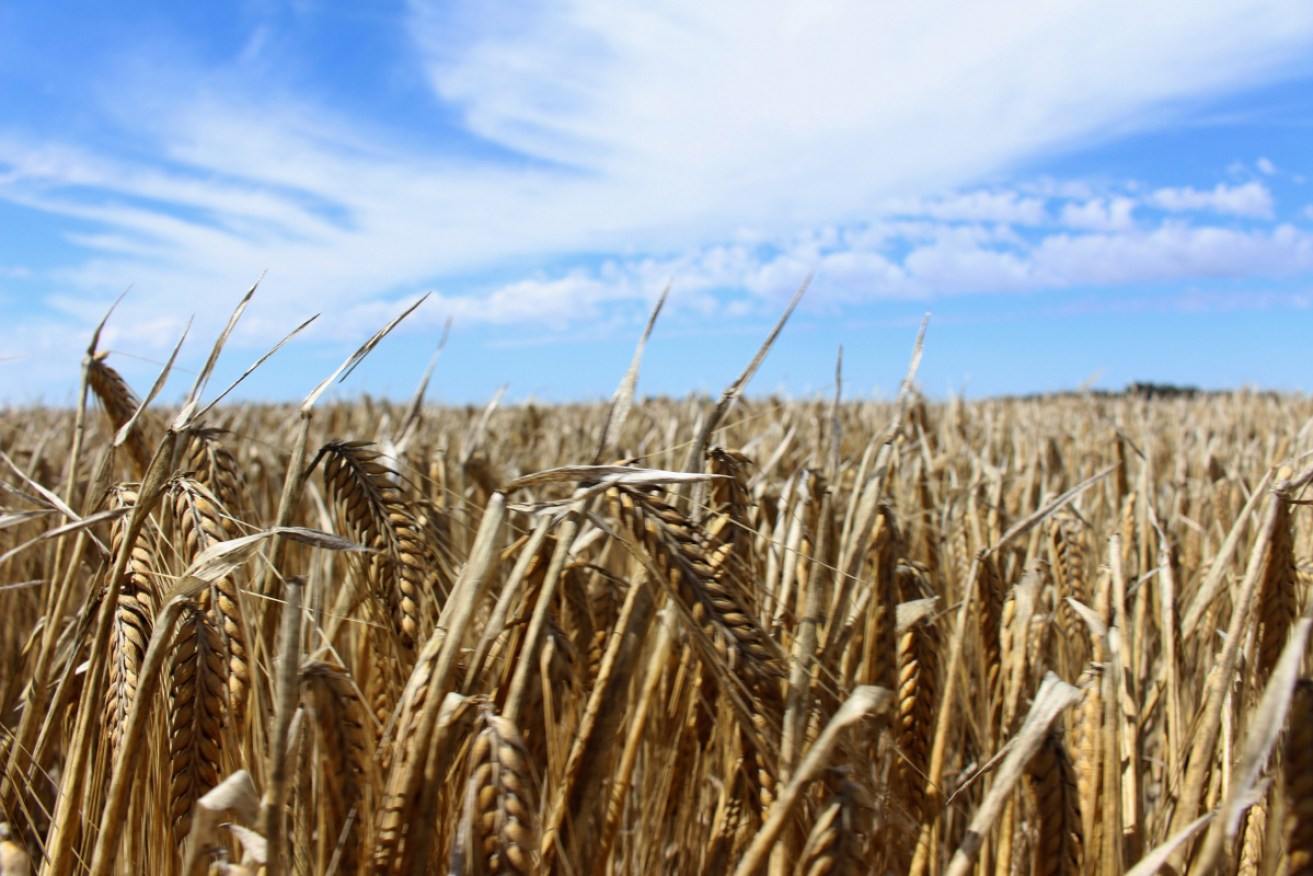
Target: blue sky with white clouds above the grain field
(1081, 191)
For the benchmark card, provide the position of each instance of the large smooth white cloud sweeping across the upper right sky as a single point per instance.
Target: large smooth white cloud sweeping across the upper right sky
(685, 94)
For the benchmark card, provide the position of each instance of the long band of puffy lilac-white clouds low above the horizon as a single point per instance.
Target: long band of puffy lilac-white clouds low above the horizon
(943, 259)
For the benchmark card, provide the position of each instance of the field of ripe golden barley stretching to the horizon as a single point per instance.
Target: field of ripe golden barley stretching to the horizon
(1023, 636)
